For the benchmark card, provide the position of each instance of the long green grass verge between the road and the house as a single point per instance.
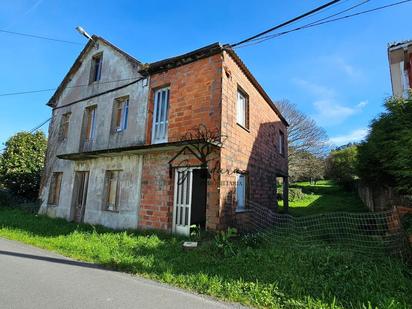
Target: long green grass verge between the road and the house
(259, 274)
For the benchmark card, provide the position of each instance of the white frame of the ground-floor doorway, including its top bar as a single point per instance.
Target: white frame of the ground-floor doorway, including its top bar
(177, 229)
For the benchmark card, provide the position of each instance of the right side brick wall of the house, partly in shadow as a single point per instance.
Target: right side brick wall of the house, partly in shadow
(254, 150)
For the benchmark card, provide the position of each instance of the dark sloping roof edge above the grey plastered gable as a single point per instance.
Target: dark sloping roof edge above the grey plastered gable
(77, 63)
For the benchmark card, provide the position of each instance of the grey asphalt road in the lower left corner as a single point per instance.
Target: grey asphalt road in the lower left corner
(34, 278)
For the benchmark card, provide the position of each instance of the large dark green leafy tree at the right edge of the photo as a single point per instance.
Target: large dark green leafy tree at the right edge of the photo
(385, 158)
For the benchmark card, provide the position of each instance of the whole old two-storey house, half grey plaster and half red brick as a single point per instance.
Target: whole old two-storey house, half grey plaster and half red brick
(182, 141)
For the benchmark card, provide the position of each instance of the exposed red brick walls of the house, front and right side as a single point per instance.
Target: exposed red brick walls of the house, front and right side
(205, 92)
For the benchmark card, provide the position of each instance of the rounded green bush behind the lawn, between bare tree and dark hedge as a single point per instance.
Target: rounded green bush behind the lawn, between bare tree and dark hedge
(341, 166)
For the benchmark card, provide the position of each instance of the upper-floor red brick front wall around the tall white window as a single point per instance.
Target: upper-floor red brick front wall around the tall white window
(195, 96)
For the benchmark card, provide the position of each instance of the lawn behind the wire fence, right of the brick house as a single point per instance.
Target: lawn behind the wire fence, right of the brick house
(324, 197)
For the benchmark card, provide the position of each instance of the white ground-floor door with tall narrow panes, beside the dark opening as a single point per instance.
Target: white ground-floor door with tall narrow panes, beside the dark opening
(182, 201)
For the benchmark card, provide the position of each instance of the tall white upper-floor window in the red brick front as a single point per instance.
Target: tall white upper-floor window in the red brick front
(160, 116)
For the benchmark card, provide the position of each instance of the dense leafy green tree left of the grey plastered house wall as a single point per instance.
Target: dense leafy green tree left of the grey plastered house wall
(22, 162)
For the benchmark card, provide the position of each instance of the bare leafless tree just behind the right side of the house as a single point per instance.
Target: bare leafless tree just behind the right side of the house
(307, 142)
